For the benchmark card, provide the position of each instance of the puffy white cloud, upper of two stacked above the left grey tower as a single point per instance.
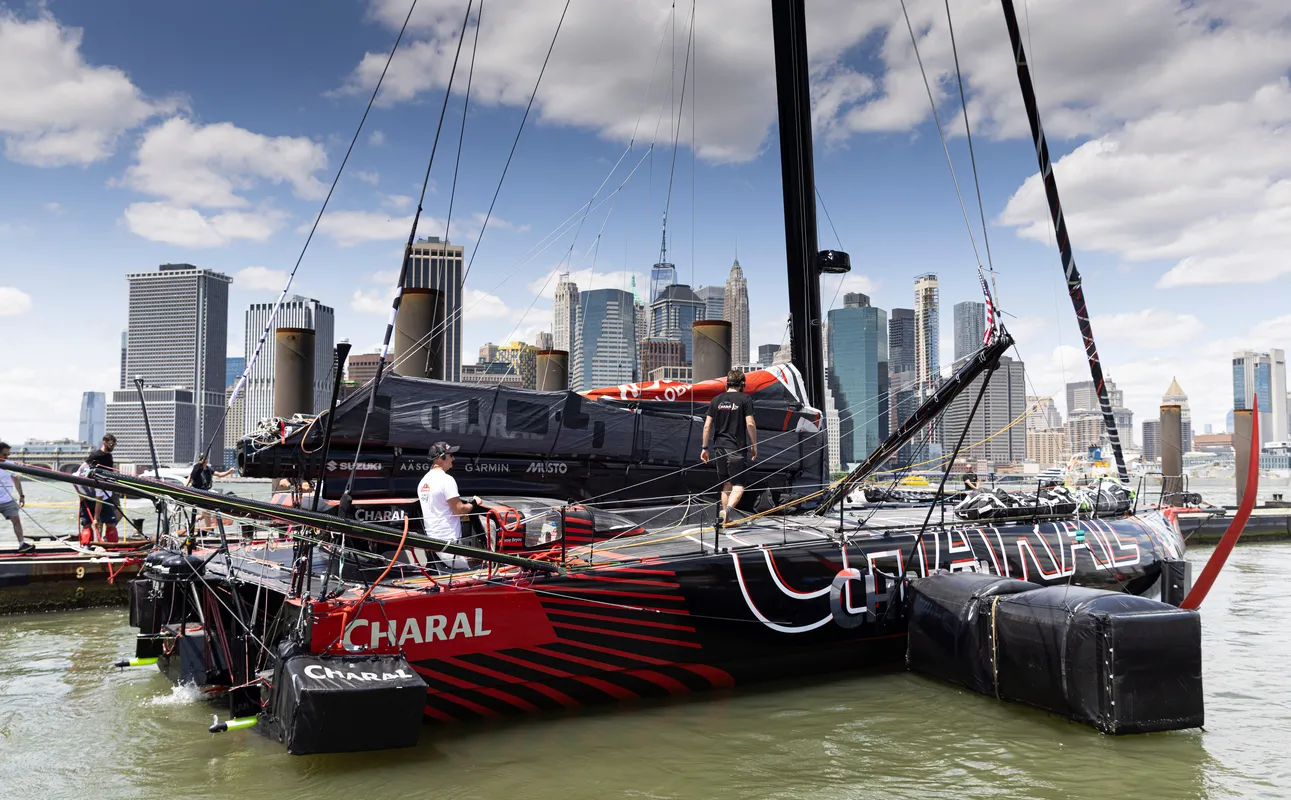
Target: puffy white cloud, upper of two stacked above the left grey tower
(210, 166)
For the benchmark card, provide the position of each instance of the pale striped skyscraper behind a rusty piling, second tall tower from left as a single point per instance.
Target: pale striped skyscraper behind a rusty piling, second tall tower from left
(296, 313)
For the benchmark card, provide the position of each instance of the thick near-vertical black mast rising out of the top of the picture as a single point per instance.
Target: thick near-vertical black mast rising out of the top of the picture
(793, 94)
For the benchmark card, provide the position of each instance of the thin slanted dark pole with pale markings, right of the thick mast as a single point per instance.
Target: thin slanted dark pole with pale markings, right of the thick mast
(1064, 245)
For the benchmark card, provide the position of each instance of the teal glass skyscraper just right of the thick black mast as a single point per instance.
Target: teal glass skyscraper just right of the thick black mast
(858, 376)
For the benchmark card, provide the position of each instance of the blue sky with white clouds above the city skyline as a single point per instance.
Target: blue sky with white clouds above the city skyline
(210, 135)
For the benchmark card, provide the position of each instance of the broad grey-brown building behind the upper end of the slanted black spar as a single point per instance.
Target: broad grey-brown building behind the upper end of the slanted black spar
(1004, 402)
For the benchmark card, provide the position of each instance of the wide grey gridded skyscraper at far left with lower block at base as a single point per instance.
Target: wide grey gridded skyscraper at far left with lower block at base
(178, 334)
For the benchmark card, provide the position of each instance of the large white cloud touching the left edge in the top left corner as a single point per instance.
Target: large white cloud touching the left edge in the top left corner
(56, 109)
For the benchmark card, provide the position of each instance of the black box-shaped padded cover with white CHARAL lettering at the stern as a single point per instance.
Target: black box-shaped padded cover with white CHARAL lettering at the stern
(327, 704)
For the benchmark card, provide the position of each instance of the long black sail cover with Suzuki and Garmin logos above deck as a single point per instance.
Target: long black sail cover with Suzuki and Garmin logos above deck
(624, 447)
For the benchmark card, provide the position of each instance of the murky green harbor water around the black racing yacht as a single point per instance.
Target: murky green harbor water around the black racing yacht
(74, 727)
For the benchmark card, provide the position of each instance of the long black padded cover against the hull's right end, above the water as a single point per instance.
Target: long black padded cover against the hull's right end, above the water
(1119, 663)
